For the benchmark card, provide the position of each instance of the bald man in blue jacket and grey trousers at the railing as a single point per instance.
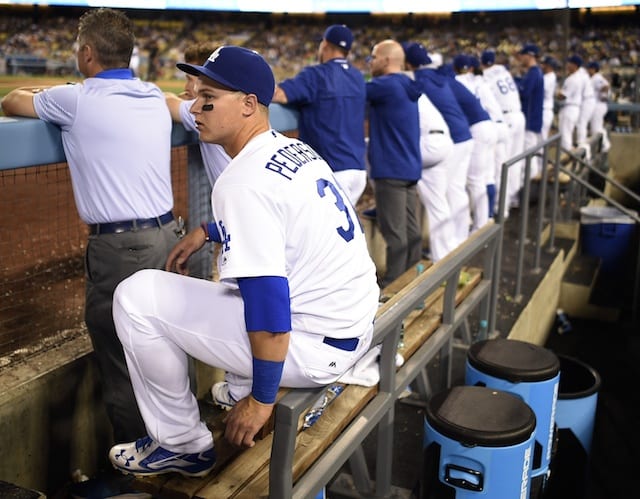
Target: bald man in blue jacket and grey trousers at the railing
(394, 156)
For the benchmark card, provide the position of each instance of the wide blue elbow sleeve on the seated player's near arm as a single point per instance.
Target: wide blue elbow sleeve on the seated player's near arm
(267, 306)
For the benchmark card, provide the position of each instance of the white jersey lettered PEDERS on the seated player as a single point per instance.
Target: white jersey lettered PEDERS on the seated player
(280, 212)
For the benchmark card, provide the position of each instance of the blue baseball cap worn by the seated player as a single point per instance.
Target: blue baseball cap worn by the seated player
(237, 68)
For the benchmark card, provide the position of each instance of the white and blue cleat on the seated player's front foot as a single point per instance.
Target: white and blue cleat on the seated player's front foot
(146, 457)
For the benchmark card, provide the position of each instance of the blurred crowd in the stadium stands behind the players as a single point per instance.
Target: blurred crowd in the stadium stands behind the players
(289, 43)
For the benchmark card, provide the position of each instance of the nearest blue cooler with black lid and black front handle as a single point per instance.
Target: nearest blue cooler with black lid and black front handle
(478, 443)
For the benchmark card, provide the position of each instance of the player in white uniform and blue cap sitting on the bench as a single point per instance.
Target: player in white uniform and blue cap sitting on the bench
(297, 293)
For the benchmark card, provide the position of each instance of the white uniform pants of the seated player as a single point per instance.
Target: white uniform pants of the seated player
(162, 318)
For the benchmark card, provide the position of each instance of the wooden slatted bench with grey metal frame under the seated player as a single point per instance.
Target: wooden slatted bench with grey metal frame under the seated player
(429, 307)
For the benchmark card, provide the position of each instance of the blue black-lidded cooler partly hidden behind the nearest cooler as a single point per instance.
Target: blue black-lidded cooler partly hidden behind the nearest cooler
(532, 373)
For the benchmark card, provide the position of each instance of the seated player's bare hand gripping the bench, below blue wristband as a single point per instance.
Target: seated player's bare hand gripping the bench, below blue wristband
(244, 420)
